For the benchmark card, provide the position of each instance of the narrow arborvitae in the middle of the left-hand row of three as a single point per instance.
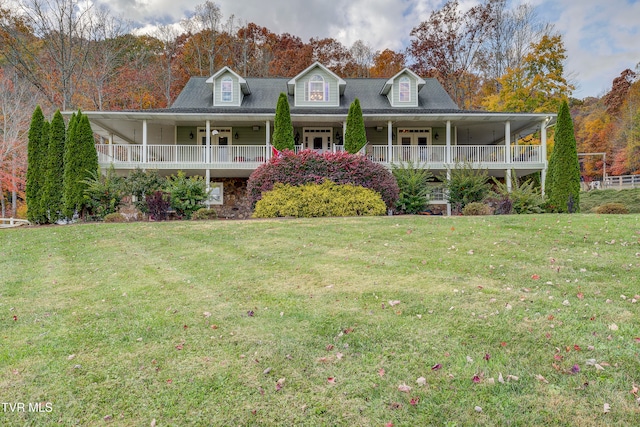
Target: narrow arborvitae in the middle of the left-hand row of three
(53, 185)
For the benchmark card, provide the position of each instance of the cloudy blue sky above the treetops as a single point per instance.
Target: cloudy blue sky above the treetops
(602, 37)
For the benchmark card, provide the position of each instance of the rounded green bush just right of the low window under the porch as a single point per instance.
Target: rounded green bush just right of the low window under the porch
(466, 185)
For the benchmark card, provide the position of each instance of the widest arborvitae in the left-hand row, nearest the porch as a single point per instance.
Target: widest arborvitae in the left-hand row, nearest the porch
(80, 164)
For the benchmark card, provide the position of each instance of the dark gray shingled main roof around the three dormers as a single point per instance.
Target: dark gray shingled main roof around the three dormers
(197, 97)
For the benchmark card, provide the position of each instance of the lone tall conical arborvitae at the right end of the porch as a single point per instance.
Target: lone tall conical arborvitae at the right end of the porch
(563, 180)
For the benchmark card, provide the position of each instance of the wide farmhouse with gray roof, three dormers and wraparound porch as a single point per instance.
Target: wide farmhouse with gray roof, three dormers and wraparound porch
(220, 128)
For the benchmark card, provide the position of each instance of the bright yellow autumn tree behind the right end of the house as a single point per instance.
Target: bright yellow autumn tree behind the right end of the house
(539, 85)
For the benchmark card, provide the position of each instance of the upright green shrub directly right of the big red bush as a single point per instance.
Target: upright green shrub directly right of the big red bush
(413, 182)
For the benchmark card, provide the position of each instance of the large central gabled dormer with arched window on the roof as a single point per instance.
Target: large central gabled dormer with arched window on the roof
(316, 86)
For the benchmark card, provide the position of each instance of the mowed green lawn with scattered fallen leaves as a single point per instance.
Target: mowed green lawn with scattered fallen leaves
(324, 322)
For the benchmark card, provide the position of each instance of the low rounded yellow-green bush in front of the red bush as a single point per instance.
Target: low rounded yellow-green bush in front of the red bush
(316, 200)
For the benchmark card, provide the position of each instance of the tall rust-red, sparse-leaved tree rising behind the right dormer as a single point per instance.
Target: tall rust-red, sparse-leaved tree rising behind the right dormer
(448, 44)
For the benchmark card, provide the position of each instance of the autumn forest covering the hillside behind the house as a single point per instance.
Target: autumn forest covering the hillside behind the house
(60, 54)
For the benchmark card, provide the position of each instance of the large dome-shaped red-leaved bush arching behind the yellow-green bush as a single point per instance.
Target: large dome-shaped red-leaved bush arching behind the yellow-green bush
(309, 166)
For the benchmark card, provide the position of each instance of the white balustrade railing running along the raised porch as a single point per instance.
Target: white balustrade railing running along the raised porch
(246, 156)
